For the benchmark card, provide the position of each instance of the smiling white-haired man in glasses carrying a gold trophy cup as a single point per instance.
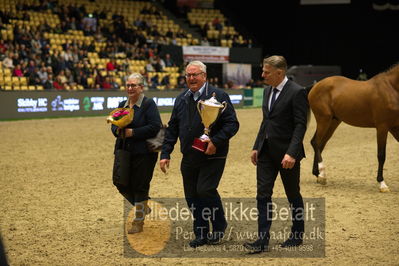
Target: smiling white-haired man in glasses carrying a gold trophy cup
(204, 119)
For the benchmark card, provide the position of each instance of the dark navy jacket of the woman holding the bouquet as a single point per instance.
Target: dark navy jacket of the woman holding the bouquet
(146, 124)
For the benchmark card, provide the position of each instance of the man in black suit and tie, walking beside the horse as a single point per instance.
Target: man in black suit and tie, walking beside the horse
(278, 149)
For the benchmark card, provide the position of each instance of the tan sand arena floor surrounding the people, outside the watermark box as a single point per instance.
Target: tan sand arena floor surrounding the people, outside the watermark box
(59, 207)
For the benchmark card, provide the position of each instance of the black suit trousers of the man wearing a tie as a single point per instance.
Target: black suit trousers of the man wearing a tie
(268, 167)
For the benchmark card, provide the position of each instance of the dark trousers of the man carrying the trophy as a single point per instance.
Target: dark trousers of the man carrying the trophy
(201, 178)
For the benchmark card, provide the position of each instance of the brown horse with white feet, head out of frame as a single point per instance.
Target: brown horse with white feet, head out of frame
(373, 103)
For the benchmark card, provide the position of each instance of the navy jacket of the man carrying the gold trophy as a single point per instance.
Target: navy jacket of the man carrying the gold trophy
(180, 126)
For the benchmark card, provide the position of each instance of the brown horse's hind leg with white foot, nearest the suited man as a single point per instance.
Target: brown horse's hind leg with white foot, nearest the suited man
(324, 131)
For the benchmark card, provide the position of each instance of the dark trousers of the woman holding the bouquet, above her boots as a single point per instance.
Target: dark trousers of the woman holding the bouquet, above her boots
(142, 169)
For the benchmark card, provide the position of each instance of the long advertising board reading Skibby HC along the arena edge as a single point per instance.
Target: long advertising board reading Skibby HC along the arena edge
(42, 104)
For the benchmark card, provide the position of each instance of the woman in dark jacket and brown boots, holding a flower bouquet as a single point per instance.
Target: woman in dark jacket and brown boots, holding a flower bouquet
(145, 124)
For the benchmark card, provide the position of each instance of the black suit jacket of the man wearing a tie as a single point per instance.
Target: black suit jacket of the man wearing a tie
(284, 125)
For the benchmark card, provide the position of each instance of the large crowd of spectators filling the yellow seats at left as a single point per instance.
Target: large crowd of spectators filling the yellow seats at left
(30, 54)
